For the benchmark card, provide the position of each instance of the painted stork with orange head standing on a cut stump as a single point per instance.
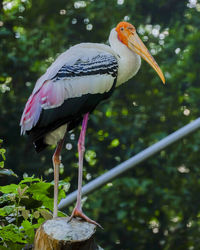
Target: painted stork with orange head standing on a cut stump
(71, 88)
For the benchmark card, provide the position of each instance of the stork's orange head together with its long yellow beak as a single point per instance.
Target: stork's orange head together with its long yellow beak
(127, 34)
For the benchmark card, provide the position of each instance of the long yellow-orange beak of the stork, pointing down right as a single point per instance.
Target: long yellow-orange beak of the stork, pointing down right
(136, 45)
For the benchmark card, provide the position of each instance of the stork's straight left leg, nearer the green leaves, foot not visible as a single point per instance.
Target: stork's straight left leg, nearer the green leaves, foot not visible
(56, 164)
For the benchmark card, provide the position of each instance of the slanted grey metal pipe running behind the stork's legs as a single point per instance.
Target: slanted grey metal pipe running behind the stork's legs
(133, 161)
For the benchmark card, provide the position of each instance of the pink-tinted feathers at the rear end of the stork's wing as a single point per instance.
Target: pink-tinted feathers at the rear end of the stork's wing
(50, 95)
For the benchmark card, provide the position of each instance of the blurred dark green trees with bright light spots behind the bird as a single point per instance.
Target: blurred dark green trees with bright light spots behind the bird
(156, 205)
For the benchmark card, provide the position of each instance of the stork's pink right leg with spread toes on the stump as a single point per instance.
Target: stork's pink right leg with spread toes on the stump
(77, 212)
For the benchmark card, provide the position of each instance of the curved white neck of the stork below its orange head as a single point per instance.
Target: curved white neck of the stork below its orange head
(128, 61)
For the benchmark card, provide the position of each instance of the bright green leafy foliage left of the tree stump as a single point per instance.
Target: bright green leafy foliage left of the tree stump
(23, 208)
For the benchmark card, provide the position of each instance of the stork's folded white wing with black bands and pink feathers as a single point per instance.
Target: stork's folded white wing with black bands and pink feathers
(78, 71)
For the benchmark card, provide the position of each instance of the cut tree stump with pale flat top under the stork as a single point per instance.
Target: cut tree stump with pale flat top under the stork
(59, 234)
